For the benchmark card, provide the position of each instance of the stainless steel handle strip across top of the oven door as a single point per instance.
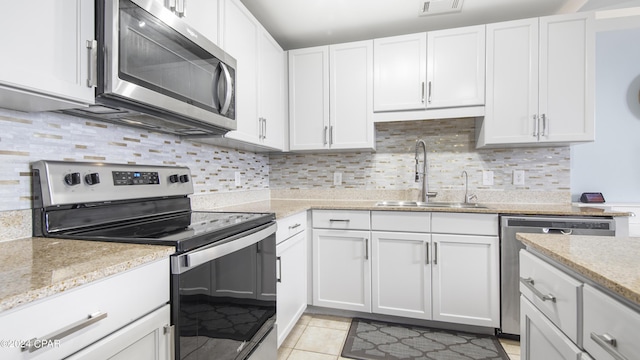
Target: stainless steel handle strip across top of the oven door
(192, 259)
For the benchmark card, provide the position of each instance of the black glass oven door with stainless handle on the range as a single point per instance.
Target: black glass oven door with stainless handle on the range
(224, 297)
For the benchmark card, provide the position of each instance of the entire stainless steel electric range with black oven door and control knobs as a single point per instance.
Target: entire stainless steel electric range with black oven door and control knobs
(223, 273)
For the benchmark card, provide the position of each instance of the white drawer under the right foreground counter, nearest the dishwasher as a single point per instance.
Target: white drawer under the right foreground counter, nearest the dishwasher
(561, 293)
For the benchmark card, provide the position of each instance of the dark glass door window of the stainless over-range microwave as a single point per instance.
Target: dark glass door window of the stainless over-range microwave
(154, 56)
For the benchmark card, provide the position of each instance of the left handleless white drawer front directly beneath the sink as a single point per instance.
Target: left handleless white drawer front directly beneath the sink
(401, 221)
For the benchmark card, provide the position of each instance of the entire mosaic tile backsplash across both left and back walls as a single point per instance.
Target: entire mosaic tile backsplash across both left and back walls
(27, 137)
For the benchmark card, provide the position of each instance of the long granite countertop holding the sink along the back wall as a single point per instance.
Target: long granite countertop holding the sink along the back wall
(283, 208)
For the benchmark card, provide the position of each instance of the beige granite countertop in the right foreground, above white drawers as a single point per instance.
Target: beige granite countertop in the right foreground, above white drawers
(611, 262)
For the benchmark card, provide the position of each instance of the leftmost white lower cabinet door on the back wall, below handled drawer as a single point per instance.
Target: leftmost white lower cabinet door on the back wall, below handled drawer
(342, 269)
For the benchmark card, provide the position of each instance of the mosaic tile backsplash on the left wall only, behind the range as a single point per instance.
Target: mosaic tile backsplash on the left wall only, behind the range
(28, 137)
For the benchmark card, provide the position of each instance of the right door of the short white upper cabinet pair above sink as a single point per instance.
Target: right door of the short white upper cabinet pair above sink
(456, 67)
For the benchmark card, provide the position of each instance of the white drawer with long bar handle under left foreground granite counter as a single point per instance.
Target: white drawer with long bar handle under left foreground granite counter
(123, 298)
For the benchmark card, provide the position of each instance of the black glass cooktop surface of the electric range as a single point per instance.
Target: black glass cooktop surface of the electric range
(186, 231)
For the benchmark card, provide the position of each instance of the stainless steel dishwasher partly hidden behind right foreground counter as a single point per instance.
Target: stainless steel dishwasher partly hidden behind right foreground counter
(510, 247)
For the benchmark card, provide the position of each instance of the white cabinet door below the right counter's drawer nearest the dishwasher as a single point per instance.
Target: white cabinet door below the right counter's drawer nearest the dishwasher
(540, 339)
